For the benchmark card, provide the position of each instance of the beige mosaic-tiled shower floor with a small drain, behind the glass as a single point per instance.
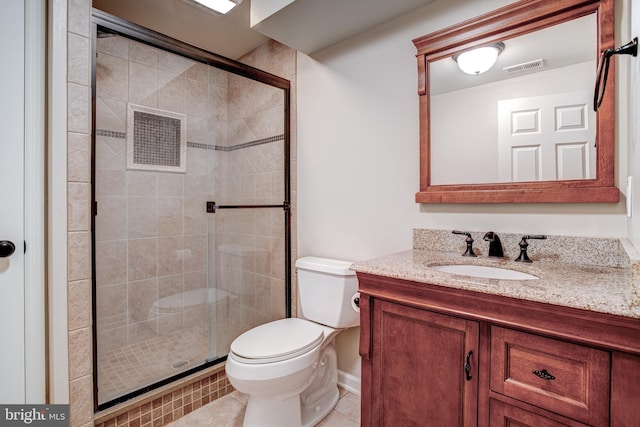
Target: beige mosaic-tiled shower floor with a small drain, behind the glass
(138, 365)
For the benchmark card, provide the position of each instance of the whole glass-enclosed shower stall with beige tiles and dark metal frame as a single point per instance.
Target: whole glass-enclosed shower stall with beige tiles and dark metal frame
(191, 214)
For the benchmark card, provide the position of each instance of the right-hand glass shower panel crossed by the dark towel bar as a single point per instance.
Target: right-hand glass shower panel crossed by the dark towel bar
(251, 210)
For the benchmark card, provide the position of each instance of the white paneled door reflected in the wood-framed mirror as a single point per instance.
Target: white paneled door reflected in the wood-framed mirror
(545, 138)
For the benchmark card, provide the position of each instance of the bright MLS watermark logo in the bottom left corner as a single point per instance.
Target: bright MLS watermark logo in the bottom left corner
(34, 415)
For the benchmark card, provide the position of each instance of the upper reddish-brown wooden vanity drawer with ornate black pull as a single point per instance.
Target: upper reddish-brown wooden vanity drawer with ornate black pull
(568, 379)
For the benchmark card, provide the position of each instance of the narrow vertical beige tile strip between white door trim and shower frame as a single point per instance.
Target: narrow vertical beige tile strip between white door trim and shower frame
(78, 223)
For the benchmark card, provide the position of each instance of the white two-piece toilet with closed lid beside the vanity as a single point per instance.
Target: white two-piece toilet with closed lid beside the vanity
(288, 367)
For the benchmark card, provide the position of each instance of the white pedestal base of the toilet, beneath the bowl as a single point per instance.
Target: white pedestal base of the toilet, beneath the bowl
(300, 410)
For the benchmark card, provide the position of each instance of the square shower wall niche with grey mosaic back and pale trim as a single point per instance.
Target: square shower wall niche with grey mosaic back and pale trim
(156, 139)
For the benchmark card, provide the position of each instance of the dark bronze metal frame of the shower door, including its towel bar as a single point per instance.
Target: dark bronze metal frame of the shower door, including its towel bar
(135, 32)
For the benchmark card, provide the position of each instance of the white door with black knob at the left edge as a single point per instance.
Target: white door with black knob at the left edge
(12, 326)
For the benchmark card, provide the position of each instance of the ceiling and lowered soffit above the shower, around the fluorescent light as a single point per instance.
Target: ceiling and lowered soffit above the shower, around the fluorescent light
(305, 25)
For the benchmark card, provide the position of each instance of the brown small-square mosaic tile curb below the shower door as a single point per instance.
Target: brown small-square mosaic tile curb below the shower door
(168, 404)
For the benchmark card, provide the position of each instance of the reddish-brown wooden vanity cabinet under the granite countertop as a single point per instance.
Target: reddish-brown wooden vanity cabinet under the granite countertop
(529, 363)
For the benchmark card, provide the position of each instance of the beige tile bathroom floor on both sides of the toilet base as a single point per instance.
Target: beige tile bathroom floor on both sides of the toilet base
(228, 412)
